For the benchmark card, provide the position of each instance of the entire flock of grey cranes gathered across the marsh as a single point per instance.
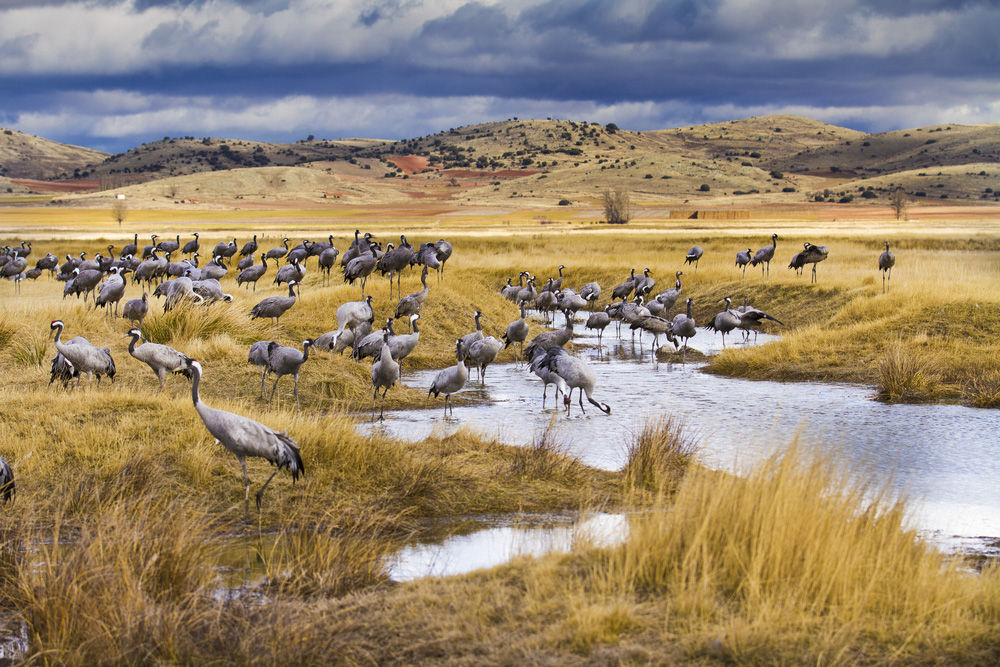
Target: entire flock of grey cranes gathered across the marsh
(103, 278)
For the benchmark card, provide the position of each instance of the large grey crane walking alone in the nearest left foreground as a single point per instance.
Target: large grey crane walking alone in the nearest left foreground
(245, 437)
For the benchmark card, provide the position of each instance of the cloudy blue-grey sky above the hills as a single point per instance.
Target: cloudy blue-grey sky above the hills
(111, 74)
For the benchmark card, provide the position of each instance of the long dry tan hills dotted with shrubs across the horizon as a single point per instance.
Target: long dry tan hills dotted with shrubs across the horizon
(778, 158)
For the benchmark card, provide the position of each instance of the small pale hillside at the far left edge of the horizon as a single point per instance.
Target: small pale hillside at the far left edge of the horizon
(27, 156)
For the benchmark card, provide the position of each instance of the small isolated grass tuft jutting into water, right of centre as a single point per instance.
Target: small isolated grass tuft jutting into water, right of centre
(659, 455)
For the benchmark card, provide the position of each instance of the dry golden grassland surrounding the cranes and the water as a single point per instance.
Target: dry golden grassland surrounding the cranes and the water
(126, 507)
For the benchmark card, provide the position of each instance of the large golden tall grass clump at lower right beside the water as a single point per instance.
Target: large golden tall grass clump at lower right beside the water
(799, 551)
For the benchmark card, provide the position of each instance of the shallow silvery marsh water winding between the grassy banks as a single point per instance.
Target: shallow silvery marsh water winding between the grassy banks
(944, 458)
